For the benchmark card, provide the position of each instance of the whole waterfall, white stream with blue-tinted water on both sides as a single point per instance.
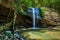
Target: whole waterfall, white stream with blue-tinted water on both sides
(35, 15)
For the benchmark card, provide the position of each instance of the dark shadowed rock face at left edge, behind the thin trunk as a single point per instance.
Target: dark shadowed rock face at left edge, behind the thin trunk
(6, 16)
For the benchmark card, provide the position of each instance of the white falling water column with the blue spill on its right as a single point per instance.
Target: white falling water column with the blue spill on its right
(35, 12)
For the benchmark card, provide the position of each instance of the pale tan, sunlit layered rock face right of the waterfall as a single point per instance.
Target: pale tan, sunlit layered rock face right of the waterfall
(52, 17)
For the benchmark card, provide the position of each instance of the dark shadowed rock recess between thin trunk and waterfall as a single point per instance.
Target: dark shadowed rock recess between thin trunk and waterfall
(23, 20)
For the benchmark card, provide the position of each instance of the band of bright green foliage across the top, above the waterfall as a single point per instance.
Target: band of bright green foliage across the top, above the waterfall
(22, 5)
